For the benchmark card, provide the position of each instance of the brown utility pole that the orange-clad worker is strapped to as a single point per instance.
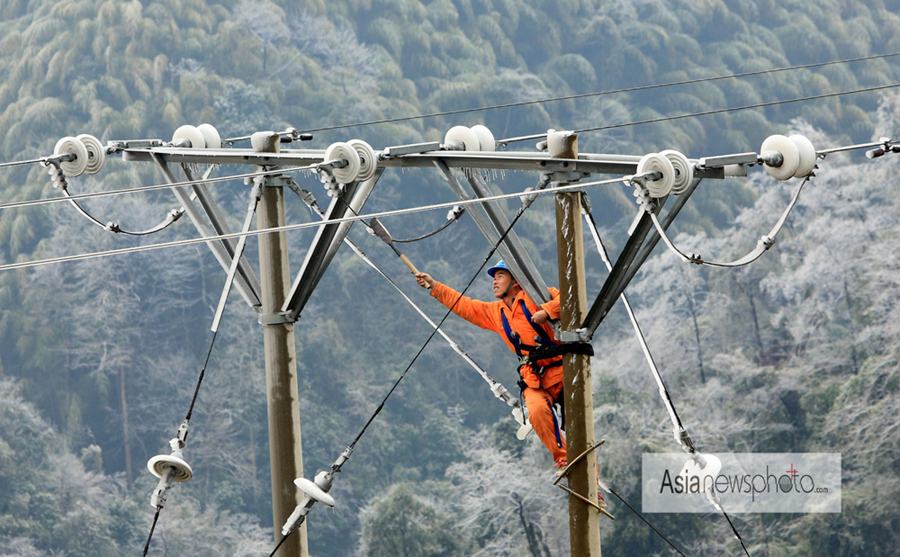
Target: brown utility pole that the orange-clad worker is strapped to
(584, 518)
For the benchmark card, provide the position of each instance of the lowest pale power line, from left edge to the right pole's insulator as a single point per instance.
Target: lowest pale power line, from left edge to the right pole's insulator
(299, 226)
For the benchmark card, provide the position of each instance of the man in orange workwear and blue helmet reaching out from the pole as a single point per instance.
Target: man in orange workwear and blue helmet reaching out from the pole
(522, 324)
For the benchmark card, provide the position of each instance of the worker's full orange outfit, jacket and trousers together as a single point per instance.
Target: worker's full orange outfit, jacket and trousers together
(541, 391)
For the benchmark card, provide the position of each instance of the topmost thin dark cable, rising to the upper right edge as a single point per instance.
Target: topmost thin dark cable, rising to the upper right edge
(586, 95)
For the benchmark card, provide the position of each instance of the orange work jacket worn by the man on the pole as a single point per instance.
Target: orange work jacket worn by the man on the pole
(489, 315)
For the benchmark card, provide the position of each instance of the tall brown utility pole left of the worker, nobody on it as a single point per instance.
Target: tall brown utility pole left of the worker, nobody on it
(282, 390)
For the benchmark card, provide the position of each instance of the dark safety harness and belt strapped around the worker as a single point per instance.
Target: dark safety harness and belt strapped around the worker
(530, 354)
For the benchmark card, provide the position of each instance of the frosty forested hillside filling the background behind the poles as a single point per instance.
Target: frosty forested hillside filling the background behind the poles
(98, 359)
